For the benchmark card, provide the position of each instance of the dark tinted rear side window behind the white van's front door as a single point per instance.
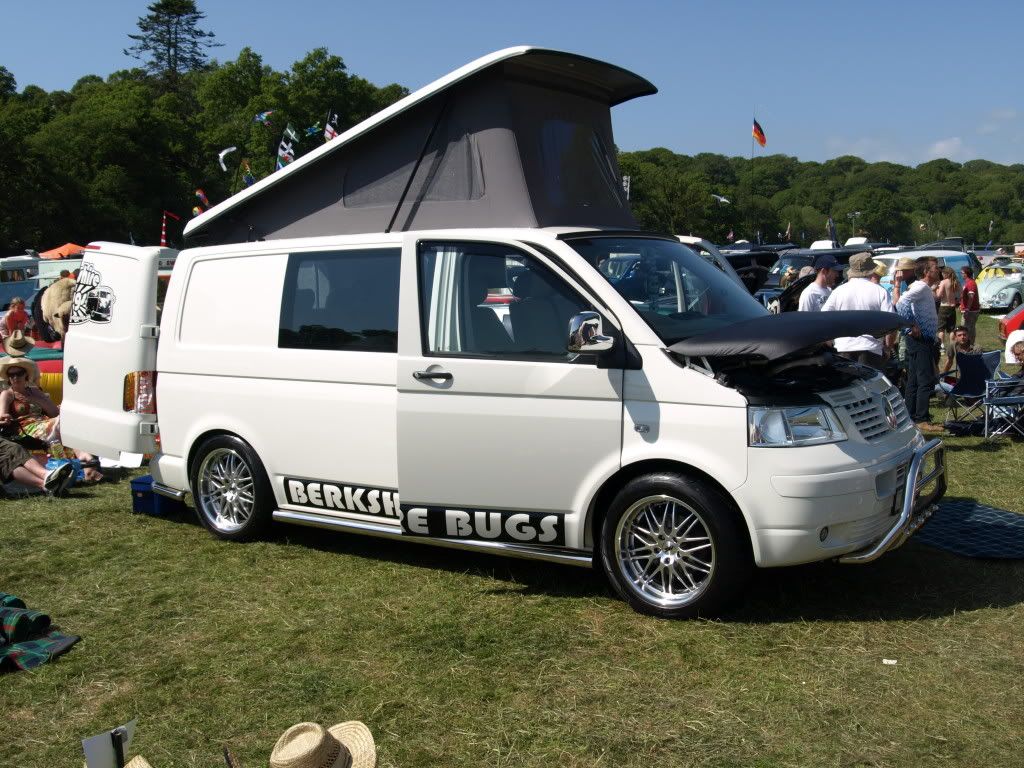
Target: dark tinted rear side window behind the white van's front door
(343, 301)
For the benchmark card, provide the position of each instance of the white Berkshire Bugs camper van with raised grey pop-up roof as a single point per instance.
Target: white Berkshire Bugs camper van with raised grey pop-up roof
(347, 361)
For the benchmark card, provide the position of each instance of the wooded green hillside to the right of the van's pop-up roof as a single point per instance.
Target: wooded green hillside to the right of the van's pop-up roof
(979, 200)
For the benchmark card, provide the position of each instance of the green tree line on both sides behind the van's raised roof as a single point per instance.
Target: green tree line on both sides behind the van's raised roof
(104, 160)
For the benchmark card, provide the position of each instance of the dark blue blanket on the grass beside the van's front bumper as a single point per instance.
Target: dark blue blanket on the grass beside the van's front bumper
(967, 528)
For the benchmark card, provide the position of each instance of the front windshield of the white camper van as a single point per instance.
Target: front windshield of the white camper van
(676, 292)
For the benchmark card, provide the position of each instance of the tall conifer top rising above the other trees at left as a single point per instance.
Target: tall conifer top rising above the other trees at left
(170, 41)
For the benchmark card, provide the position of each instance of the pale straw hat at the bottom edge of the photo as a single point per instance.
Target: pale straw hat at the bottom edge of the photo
(312, 746)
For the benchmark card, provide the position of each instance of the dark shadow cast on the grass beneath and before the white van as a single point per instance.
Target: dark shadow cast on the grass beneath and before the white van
(916, 582)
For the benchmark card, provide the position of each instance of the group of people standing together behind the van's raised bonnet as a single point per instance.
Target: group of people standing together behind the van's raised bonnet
(925, 296)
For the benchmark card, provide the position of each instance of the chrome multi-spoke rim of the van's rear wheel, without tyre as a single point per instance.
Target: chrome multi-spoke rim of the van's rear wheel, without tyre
(226, 495)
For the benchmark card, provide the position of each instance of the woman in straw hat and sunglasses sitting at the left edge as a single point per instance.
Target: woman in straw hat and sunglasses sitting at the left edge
(28, 414)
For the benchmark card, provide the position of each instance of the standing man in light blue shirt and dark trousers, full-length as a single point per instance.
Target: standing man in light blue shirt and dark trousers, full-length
(917, 307)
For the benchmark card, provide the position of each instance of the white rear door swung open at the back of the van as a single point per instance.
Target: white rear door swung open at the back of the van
(110, 360)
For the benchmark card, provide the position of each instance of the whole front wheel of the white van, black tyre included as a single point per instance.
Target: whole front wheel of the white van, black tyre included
(652, 517)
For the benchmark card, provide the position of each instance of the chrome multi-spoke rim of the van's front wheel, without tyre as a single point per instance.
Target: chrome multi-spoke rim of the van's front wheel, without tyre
(665, 551)
